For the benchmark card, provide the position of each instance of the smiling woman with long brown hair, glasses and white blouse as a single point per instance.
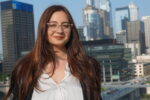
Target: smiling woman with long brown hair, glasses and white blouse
(57, 67)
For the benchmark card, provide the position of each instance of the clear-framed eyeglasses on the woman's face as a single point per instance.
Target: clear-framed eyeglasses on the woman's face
(54, 26)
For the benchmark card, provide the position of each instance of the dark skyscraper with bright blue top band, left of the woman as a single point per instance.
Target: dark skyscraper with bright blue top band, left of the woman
(17, 31)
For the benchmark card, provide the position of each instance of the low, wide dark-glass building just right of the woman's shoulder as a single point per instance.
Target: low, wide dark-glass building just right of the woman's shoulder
(112, 57)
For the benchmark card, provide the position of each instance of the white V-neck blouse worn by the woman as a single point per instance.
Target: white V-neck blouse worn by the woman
(68, 89)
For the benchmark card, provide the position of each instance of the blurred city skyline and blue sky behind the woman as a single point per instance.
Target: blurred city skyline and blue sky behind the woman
(115, 32)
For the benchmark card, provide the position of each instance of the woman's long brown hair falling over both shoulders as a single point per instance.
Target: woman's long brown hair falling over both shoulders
(28, 69)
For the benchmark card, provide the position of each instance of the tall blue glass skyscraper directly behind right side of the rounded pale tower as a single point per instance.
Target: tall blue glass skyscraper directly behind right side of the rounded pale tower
(105, 12)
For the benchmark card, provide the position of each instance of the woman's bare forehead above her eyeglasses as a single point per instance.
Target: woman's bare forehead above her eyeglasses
(59, 16)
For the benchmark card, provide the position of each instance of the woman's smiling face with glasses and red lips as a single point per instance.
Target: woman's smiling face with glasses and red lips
(59, 29)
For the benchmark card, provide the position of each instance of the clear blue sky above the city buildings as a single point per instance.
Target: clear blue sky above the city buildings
(76, 7)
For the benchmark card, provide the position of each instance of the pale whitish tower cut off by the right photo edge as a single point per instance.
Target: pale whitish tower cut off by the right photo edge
(146, 20)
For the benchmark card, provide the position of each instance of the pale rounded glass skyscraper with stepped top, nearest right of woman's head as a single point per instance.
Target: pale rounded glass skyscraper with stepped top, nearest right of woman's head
(91, 22)
